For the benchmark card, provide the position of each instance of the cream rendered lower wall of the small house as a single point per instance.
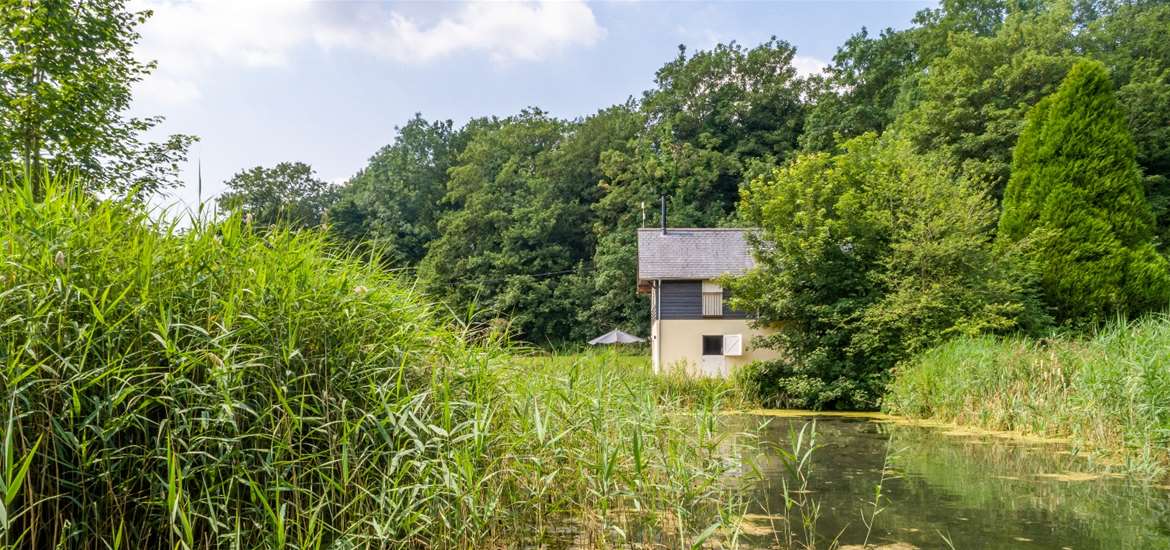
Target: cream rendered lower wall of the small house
(679, 343)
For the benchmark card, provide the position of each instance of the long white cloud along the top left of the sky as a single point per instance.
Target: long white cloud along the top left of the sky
(194, 39)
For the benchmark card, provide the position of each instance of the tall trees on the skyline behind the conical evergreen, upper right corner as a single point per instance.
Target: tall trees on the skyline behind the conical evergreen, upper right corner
(961, 80)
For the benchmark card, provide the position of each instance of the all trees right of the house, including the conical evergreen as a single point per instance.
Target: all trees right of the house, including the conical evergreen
(1018, 183)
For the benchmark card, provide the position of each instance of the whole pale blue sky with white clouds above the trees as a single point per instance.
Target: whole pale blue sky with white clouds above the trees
(327, 82)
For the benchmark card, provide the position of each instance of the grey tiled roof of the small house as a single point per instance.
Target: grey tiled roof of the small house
(689, 253)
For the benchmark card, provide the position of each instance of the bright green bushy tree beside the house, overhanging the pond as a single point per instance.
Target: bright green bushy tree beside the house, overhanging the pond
(866, 258)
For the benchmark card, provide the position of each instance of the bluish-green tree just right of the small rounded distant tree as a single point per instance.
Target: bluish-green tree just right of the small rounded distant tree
(395, 203)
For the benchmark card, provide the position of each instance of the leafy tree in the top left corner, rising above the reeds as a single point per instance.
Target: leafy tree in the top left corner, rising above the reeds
(67, 68)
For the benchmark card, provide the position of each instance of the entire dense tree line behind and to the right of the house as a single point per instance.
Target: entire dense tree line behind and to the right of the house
(879, 185)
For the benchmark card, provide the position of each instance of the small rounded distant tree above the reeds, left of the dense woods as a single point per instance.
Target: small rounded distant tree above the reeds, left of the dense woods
(287, 194)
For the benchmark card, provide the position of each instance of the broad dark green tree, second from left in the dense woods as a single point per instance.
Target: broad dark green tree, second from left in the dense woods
(511, 232)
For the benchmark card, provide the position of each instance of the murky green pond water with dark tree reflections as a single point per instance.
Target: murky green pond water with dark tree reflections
(979, 492)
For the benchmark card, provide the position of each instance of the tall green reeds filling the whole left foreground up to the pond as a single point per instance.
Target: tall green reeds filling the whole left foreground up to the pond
(225, 388)
